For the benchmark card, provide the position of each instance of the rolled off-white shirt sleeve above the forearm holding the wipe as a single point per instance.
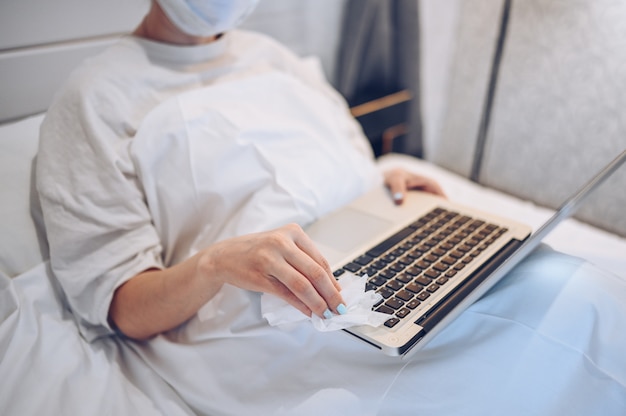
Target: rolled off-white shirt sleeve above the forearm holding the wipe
(98, 225)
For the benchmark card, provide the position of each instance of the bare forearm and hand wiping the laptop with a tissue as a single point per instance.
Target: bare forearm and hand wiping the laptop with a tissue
(284, 262)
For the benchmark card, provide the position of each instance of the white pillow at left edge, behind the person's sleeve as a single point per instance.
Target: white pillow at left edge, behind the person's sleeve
(21, 246)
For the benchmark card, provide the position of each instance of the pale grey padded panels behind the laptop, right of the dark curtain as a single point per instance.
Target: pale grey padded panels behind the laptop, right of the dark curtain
(557, 114)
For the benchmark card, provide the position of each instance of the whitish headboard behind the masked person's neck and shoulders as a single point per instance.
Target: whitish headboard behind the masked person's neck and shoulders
(42, 41)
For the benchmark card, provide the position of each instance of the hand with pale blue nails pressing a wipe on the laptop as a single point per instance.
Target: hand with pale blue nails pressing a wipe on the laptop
(284, 262)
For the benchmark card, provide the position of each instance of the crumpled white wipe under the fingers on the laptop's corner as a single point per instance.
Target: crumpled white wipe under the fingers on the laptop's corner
(358, 304)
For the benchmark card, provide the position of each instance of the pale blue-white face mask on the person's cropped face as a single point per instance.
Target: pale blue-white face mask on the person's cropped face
(206, 18)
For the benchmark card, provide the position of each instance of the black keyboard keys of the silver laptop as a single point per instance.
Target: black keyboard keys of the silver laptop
(421, 259)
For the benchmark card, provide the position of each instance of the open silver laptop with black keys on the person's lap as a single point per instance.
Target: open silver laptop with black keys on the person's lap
(429, 258)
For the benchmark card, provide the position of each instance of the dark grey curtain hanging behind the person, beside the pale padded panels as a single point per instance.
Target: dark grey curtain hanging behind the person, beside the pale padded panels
(379, 55)
